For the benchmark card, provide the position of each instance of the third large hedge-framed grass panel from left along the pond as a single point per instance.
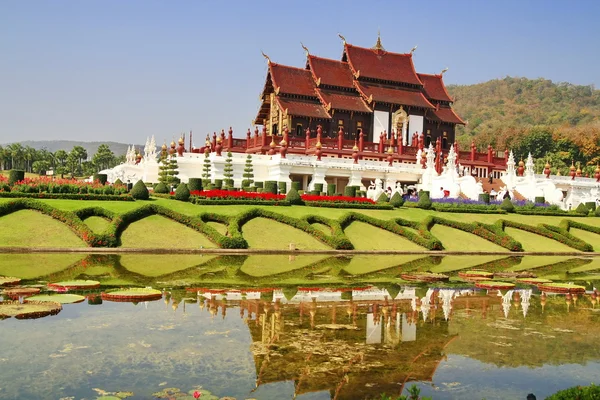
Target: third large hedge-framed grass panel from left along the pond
(262, 233)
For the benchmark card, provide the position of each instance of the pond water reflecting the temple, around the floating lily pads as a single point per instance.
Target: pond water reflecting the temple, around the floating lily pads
(306, 327)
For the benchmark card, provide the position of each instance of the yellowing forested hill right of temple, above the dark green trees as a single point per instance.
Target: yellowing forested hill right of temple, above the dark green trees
(518, 104)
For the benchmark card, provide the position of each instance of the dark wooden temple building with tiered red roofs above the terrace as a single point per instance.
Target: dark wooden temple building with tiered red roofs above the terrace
(370, 91)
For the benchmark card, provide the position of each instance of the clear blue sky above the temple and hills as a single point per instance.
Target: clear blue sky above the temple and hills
(119, 70)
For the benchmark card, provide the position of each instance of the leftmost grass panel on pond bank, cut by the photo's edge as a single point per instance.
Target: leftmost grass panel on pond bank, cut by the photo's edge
(28, 228)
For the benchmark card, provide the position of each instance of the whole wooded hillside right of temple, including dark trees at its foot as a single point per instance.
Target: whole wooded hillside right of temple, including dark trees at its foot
(504, 112)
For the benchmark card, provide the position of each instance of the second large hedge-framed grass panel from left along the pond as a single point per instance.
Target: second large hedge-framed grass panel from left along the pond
(159, 232)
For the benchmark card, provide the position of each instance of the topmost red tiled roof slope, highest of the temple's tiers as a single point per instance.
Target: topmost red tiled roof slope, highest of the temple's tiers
(383, 65)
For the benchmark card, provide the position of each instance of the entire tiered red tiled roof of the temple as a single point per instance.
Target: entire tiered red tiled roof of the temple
(362, 78)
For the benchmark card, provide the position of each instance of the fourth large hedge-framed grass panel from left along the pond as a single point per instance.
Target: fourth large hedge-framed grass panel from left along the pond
(367, 237)
